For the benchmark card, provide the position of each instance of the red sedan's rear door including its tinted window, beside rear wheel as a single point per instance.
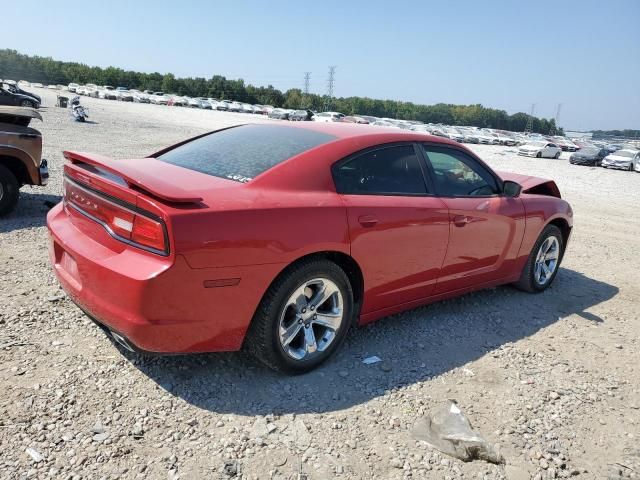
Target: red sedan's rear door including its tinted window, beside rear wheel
(398, 229)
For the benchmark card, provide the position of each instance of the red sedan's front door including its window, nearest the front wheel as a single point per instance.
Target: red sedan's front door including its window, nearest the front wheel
(486, 228)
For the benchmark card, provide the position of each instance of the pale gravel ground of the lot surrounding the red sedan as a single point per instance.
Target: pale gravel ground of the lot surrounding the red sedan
(552, 378)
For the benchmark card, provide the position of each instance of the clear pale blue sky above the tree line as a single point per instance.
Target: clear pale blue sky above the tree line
(583, 54)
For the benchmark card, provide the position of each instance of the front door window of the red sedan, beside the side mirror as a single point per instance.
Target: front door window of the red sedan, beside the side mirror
(458, 175)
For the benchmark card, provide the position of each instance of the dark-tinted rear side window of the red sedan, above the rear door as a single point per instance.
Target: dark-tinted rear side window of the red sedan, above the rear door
(385, 171)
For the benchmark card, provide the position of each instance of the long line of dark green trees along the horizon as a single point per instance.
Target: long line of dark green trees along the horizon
(17, 66)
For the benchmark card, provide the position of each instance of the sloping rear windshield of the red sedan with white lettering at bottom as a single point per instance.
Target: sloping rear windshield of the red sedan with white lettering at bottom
(242, 153)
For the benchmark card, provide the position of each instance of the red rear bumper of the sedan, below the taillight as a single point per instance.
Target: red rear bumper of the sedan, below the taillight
(160, 304)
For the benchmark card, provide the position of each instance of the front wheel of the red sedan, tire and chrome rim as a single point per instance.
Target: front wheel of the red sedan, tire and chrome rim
(543, 262)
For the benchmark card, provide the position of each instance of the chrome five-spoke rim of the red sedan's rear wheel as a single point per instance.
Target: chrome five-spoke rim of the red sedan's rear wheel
(310, 319)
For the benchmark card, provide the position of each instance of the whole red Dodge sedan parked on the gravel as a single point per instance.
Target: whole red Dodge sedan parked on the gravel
(279, 238)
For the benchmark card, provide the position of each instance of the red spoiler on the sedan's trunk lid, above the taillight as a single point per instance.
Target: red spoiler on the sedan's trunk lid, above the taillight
(136, 173)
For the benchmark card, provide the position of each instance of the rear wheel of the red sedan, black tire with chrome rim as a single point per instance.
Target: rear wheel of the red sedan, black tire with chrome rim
(277, 314)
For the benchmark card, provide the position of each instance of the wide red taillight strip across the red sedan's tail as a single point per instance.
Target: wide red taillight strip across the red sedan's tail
(123, 222)
